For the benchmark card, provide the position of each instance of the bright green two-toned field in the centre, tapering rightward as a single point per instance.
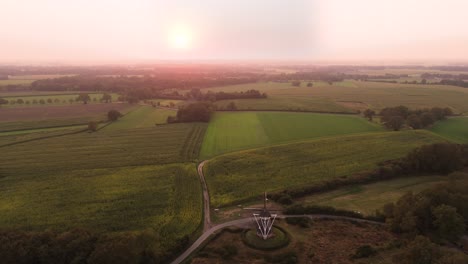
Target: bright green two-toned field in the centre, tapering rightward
(230, 131)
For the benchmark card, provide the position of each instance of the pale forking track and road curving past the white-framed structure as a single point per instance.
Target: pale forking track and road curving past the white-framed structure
(209, 229)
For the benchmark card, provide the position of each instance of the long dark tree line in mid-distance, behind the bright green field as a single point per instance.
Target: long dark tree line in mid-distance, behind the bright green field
(196, 94)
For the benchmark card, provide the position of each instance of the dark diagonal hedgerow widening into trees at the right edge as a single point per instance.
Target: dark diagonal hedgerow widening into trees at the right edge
(439, 158)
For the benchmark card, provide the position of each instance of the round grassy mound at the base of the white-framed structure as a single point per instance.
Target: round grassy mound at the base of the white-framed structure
(280, 239)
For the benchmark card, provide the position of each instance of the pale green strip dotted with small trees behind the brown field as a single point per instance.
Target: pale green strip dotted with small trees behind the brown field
(33, 100)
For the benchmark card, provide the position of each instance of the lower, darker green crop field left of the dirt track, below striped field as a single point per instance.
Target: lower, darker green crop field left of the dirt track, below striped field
(163, 198)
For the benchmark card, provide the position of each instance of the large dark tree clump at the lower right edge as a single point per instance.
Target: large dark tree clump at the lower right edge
(440, 211)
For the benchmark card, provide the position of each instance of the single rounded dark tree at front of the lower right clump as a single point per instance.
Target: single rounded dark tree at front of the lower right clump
(450, 225)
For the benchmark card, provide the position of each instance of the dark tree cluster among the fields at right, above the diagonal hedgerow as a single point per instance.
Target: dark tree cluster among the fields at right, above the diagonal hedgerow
(396, 117)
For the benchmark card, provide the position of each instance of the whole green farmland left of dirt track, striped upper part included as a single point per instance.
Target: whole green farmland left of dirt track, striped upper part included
(131, 180)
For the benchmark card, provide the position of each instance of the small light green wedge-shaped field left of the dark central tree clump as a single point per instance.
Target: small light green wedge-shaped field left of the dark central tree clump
(144, 116)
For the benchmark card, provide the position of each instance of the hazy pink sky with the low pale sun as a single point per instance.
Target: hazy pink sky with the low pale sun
(307, 30)
